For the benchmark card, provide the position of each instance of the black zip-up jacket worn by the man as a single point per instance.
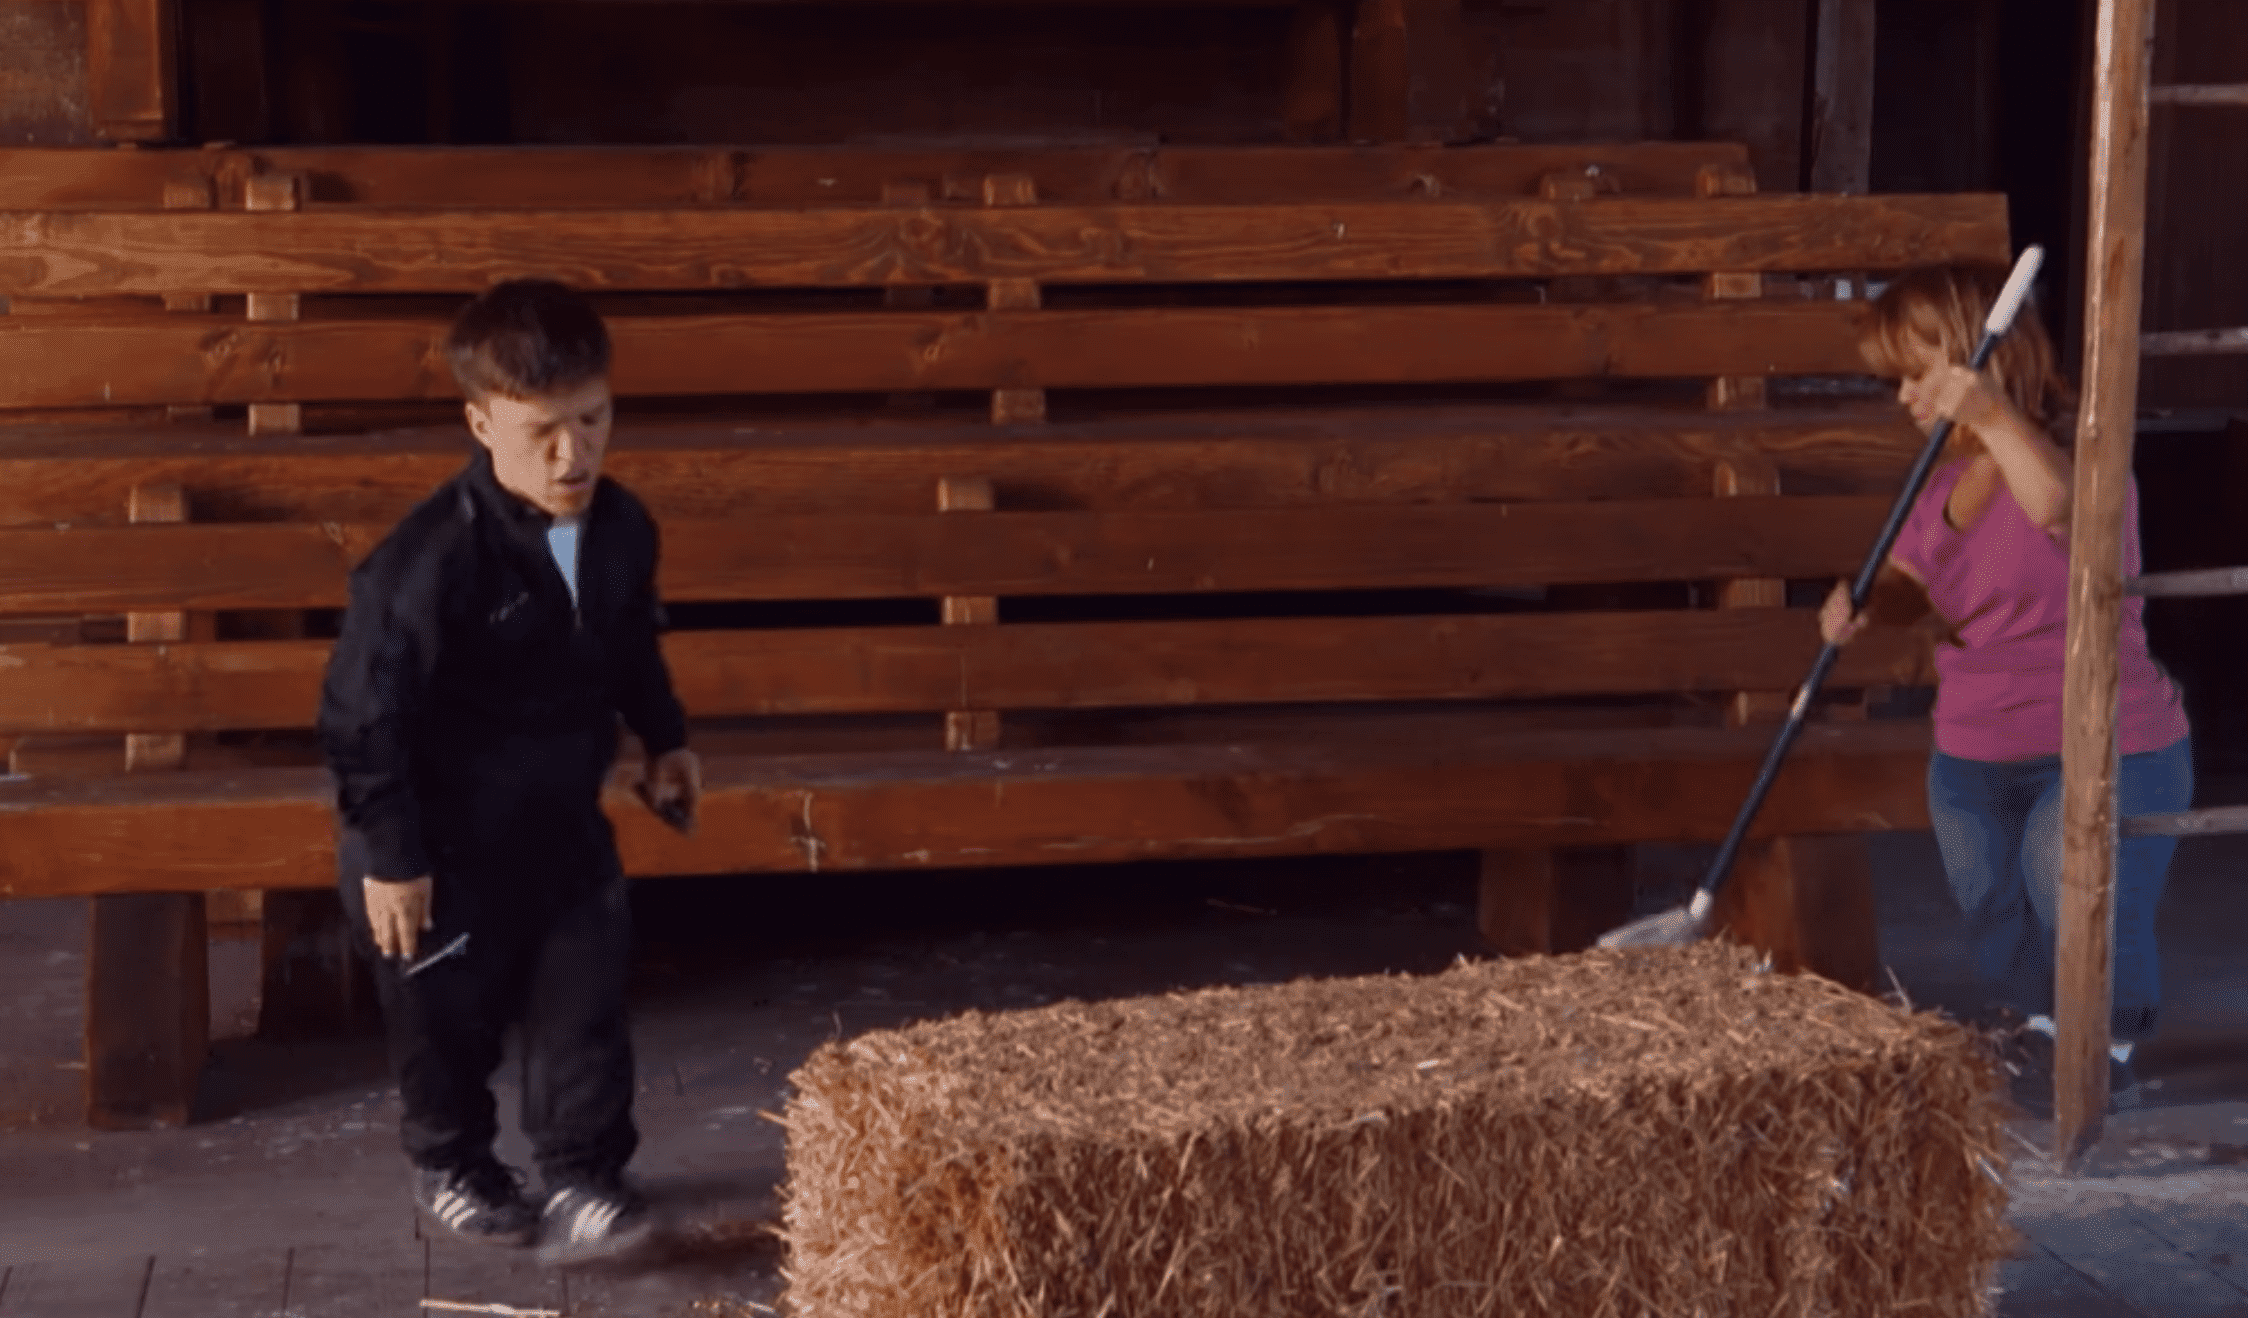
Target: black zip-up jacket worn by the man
(471, 710)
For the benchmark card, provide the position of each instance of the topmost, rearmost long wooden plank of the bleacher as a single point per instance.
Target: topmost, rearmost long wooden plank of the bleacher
(680, 177)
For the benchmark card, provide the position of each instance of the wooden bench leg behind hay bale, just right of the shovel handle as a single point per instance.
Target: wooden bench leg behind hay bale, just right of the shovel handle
(1806, 901)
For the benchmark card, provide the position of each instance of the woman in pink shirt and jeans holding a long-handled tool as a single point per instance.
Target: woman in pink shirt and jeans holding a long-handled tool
(1986, 548)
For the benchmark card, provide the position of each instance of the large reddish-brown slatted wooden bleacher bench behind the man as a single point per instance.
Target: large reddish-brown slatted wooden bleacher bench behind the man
(1359, 518)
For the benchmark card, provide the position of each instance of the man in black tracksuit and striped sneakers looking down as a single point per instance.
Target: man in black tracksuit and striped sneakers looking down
(471, 716)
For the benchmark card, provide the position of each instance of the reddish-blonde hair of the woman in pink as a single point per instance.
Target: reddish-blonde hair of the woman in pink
(1946, 309)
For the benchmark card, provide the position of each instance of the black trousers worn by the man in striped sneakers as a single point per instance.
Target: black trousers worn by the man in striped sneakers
(550, 955)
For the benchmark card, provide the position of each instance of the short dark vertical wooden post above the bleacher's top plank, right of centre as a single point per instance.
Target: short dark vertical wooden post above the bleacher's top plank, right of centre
(1411, 73)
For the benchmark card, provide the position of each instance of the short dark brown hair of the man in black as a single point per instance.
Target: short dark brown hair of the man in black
(527, 338)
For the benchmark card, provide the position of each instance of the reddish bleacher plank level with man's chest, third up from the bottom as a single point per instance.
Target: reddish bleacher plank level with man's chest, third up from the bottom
(1015, 554)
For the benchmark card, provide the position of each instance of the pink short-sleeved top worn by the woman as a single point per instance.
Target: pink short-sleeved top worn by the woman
(2004, 588)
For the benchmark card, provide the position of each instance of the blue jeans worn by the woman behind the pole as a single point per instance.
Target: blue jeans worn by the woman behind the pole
(2000, 831)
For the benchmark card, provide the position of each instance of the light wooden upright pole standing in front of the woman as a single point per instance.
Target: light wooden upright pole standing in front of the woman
(2103, 460)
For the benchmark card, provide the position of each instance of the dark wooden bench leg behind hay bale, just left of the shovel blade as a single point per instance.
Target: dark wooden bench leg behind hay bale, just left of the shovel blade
(1534, 903)
